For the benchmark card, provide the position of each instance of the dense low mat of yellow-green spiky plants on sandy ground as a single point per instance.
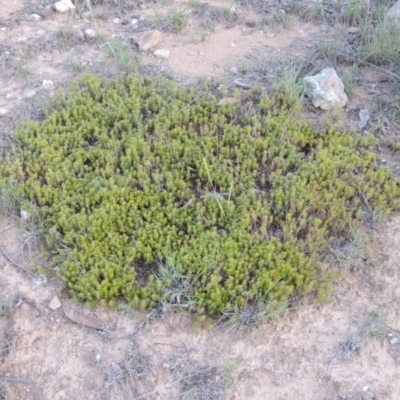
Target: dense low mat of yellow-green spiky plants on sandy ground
(153, 193)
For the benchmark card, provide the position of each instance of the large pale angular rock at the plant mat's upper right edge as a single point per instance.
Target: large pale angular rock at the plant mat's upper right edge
(326, 90)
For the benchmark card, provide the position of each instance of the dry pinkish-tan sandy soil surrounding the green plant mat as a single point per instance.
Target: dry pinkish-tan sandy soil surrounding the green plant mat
(346, 349)
